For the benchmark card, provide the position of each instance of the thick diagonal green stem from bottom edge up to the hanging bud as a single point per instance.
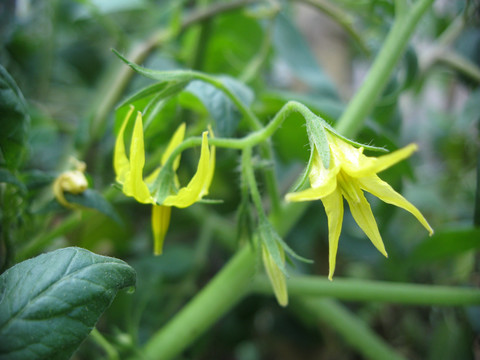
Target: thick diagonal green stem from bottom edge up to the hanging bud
(228, 287)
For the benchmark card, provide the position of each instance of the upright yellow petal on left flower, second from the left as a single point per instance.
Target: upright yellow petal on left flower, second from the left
(134, 184)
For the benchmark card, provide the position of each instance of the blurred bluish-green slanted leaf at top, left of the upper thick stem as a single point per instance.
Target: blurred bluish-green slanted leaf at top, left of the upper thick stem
(293, 48)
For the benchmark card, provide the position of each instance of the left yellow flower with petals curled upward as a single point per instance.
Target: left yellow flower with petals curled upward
(129, 173)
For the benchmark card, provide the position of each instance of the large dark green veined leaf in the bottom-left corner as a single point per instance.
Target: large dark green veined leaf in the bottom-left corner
(50, 303)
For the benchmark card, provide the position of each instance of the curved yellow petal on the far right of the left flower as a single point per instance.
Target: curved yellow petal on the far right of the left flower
(192, 192)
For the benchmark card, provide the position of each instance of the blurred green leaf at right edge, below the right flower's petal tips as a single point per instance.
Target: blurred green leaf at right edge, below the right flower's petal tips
(446, 244)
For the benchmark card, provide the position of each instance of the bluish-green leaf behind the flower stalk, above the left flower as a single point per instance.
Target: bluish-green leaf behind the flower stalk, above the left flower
(220, 107)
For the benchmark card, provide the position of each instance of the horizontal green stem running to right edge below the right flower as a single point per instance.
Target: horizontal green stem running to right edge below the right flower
(376, 291)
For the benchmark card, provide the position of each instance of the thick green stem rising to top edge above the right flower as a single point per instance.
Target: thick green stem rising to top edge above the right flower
(364, 100)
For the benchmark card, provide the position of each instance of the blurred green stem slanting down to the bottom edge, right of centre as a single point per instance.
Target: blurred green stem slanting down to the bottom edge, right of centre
(351, 328)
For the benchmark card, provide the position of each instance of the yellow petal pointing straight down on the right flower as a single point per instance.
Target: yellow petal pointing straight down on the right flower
(333, 204)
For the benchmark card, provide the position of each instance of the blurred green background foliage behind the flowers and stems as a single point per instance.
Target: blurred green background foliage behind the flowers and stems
(59, 54)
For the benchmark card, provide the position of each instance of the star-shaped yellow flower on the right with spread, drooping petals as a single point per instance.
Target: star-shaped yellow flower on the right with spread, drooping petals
(349, 173)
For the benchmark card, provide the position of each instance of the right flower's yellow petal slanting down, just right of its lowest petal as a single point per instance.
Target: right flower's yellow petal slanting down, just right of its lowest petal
(362, 213)
